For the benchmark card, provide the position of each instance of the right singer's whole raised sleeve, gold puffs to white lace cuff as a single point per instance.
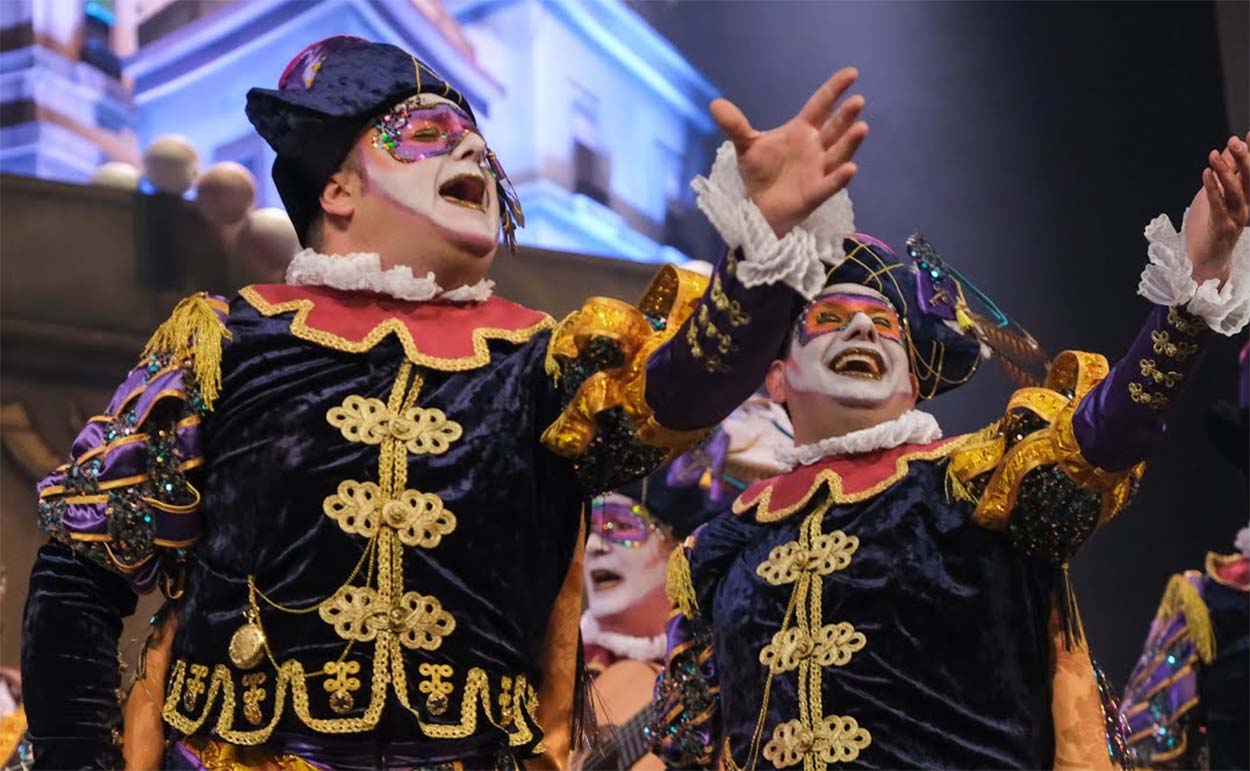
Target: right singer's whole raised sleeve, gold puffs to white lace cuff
(1068, 457)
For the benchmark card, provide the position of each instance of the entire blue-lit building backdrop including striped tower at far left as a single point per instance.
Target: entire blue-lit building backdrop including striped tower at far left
(598, 119)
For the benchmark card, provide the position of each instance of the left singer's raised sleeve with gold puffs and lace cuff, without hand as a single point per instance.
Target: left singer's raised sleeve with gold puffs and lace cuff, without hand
(644, 383)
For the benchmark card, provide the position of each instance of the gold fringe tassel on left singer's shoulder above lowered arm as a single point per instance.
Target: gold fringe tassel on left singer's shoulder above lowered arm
(193, 332)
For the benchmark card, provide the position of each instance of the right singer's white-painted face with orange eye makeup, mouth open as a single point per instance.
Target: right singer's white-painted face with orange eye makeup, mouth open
(849, 349)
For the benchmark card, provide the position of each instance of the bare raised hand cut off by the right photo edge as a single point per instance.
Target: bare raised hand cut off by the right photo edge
(1219, 212)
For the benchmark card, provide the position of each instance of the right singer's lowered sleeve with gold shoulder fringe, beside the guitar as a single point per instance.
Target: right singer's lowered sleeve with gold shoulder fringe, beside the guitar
(687, 730)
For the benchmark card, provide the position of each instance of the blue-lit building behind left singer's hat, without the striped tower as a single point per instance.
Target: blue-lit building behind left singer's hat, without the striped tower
(599, 122)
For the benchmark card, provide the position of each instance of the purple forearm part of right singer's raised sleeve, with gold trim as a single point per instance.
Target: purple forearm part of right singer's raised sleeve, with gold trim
(1124, 417)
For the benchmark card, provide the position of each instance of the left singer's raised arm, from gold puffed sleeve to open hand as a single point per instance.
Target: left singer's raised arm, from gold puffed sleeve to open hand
(643, 383)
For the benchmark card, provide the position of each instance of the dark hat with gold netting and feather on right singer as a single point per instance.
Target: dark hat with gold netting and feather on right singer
(947, 339)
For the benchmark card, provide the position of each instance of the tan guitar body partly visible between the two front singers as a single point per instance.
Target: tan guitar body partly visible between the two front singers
(624, 690)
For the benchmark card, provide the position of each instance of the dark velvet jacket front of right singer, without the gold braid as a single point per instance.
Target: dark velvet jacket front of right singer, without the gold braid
(956, 672)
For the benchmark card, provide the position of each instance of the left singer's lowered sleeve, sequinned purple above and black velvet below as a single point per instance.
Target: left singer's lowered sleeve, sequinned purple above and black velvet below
(122, 515)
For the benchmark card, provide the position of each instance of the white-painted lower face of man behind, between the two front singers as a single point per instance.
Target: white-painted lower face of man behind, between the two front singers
(621, 578)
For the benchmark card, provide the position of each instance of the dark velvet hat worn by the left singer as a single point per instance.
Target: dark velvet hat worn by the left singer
(324, 102)
